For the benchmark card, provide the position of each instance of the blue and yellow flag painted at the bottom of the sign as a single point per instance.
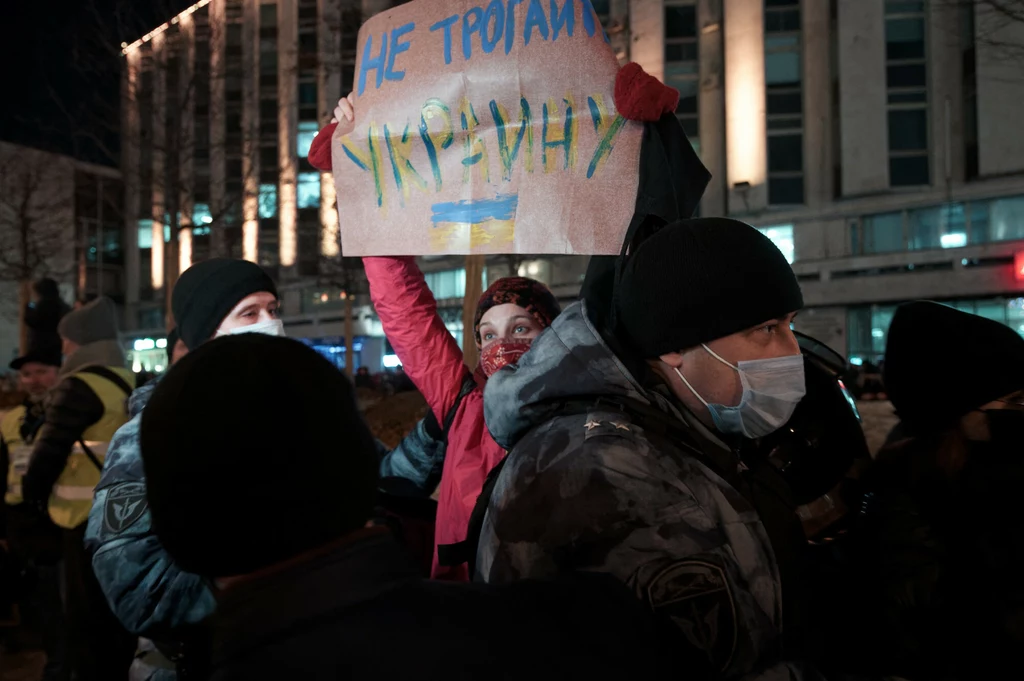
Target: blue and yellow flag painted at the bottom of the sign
(475, 226)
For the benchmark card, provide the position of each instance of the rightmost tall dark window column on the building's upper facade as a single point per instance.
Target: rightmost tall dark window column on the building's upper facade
(907, 84)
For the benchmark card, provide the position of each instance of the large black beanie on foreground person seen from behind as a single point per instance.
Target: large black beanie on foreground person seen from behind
(254, 452)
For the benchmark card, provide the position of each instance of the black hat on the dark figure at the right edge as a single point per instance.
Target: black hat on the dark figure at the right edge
(942, 364)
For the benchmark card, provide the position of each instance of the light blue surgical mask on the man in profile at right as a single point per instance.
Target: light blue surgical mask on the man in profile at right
(773, 389)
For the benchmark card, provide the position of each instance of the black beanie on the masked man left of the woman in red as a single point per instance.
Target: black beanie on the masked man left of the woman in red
(206, 293)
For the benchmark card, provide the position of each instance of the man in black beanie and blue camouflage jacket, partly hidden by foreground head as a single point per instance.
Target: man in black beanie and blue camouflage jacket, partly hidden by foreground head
(151, 594)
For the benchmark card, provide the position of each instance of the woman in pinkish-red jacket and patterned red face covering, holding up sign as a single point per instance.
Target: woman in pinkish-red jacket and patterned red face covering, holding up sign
(509, 316)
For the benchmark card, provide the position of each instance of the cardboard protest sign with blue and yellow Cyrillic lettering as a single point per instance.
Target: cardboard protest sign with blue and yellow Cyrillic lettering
(486, 126)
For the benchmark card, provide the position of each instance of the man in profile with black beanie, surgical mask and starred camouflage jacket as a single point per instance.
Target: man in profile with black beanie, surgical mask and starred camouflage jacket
(629, 445)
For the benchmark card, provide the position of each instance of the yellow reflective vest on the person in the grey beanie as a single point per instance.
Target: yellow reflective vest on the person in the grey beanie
(72, 497)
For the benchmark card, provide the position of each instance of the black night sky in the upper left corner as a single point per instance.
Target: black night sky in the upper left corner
(62, 70)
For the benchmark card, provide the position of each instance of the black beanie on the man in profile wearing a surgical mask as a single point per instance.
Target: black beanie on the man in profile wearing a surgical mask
(696, 281)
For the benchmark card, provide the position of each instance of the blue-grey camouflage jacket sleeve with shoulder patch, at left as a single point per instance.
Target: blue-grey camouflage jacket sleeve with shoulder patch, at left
(148, 592)
